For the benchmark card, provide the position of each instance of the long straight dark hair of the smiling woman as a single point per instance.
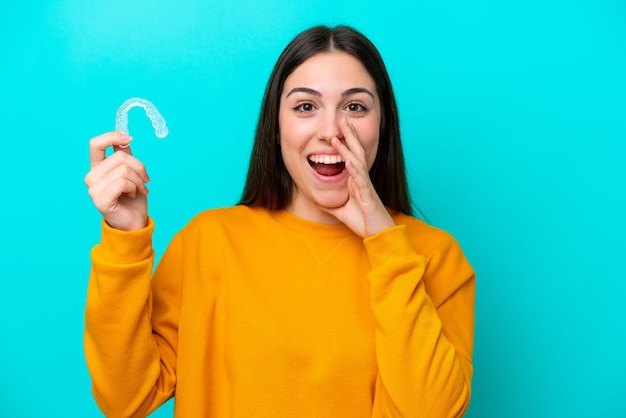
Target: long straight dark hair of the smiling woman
(268, 183)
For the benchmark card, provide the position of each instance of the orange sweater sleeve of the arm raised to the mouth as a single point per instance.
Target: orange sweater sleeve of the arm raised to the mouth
(424, 311)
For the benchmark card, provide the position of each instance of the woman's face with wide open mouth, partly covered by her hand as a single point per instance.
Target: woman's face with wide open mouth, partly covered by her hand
(317, 95)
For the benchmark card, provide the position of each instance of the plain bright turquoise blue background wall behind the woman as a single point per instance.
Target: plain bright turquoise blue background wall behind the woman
(514, 123)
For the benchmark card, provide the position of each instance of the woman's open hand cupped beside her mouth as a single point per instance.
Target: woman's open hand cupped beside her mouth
(363, 212)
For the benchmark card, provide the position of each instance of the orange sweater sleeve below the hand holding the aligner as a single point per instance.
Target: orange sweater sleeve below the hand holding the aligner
(131, 361)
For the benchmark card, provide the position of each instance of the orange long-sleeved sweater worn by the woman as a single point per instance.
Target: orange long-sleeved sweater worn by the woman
(259, 314)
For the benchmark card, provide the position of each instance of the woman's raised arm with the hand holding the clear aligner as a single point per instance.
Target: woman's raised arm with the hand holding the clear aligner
(131, 362)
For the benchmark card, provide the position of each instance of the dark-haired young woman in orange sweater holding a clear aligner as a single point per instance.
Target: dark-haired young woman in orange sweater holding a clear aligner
(319, 295)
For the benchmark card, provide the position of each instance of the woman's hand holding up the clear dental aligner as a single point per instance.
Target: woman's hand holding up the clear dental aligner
(117, 183)
